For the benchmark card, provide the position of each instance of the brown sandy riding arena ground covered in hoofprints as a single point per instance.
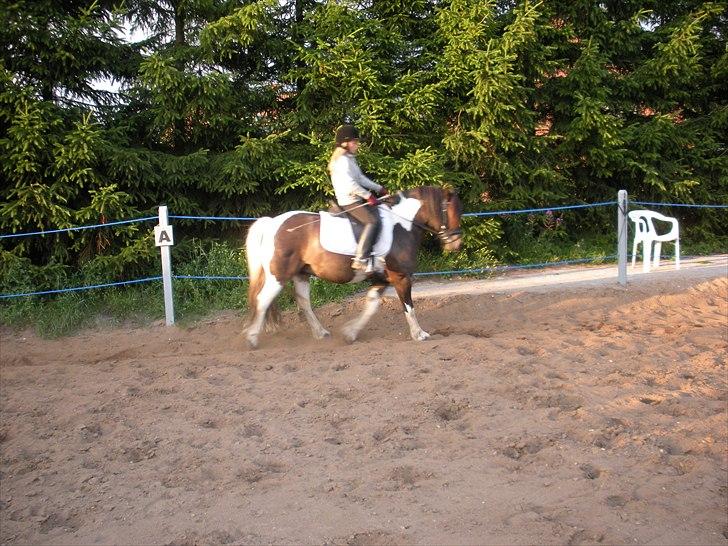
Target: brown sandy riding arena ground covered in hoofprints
(582, 412)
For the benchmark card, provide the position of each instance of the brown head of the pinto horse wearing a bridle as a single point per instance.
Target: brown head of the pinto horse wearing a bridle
(440, 212)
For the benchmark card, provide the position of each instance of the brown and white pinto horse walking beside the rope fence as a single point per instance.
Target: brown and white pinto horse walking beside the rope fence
(288, 247)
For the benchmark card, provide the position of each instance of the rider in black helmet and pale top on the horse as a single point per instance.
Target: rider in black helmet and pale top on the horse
(354, 194)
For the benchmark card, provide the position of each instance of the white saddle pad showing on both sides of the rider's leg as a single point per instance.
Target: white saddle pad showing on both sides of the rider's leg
(340, 232)
